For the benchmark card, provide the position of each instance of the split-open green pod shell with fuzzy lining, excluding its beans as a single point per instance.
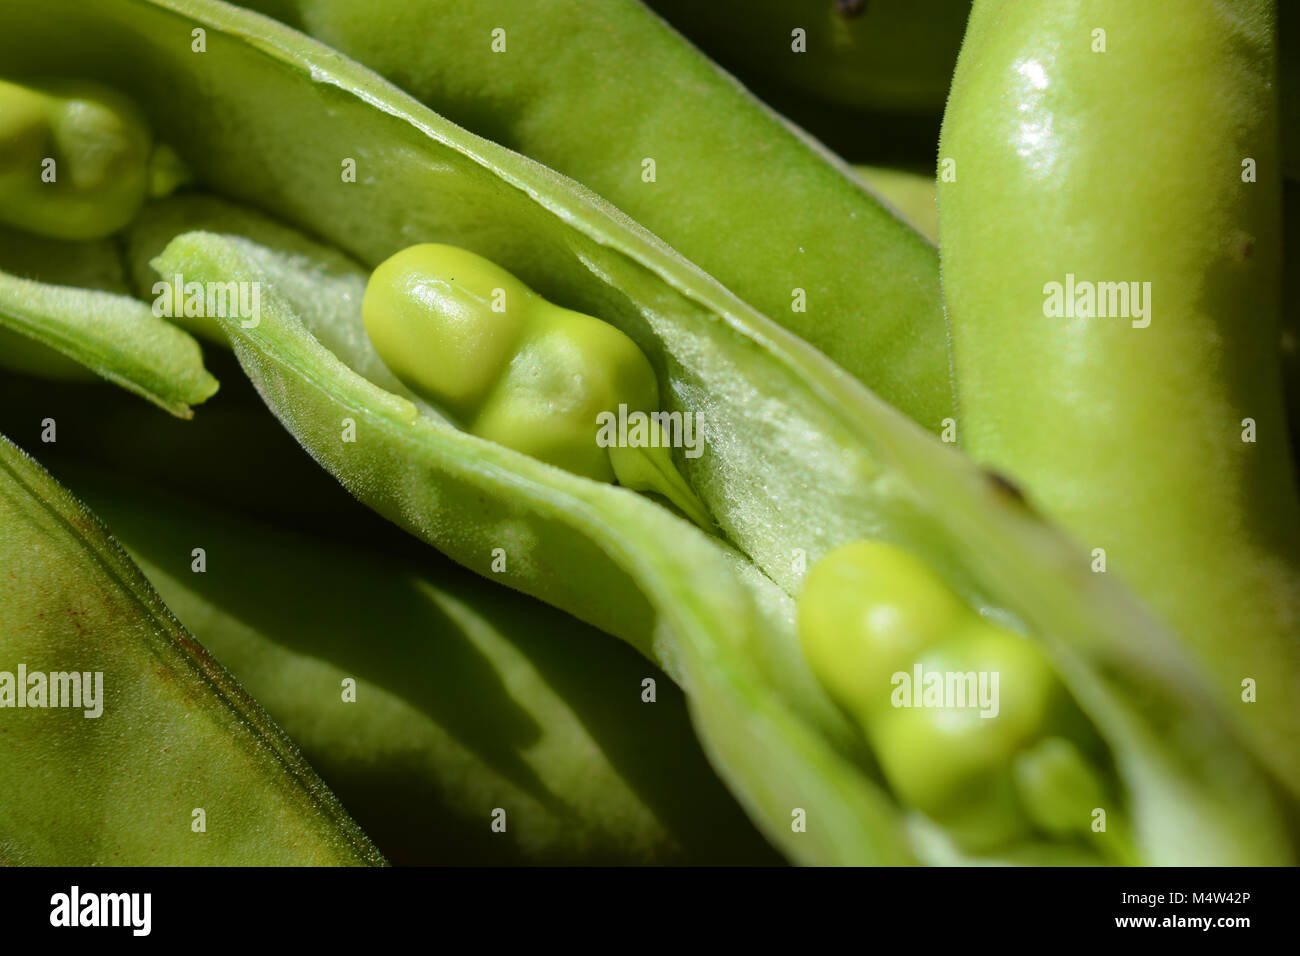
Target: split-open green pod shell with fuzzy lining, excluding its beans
(805, 460)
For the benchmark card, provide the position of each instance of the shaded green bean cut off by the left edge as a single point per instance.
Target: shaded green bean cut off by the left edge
(101, 145)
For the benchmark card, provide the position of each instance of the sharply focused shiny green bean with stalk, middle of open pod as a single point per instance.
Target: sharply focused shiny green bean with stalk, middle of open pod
(469, 336)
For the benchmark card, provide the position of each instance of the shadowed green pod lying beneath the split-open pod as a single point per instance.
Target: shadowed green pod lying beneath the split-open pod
(469, 698)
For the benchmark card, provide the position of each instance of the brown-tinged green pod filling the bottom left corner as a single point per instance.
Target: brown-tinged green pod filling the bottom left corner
(171, 733)
